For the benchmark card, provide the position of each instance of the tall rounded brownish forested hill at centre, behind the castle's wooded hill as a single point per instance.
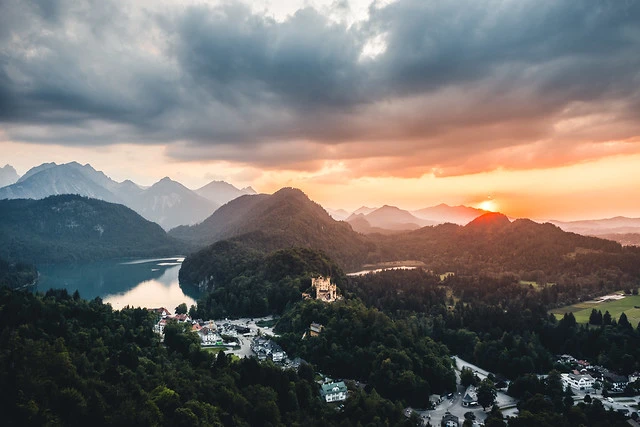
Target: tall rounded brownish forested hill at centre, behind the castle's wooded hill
(284, 219)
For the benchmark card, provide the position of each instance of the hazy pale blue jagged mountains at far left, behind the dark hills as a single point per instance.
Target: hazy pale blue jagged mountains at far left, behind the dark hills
(167, 202)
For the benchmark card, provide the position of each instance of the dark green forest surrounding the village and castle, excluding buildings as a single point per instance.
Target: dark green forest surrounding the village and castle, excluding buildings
(67, 361)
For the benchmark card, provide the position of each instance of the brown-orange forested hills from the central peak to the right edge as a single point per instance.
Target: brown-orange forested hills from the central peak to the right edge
(491, 242)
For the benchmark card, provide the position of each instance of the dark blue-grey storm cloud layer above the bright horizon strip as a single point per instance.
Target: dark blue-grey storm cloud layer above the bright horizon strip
(453, 79)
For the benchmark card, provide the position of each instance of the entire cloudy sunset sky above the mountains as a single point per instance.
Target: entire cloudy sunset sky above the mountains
(528, 107)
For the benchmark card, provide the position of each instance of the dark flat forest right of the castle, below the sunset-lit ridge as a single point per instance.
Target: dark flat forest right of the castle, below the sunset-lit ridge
(498, 323)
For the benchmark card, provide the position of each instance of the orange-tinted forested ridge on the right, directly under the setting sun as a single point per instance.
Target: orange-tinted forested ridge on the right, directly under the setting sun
(492, 242)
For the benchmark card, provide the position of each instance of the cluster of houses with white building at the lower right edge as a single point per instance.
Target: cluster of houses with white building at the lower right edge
(584, 376)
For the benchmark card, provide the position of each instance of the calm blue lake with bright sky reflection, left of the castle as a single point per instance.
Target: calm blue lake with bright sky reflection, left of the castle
(147, 283)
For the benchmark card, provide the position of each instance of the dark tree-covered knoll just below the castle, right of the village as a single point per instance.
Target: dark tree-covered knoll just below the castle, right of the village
(395, 357)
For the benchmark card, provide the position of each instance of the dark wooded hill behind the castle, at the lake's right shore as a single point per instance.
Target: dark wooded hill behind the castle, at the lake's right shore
(242, 282)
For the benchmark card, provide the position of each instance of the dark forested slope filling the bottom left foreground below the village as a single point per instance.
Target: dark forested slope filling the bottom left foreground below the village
(67, 361)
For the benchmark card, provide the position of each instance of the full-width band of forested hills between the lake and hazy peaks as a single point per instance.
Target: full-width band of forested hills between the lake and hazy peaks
(68, 227)
